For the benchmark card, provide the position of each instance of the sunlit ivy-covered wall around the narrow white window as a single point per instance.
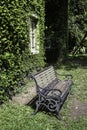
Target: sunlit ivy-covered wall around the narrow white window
(16, 59)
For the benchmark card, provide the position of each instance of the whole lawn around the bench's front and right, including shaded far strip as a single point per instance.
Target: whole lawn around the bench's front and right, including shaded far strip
(73, 112)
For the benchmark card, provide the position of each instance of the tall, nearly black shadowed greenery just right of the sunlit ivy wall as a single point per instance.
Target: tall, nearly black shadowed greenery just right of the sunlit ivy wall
(56, 29)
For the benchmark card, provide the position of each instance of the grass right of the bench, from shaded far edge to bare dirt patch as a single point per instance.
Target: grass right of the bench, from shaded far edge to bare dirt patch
(77, 66)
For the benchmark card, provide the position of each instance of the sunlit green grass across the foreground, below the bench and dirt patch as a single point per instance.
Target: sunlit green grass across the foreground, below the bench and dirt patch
(15, 117)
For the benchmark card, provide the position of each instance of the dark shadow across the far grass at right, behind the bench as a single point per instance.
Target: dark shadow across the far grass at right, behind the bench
(74, 62)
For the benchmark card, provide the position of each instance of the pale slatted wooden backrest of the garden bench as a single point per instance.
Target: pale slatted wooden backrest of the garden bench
(45, 76)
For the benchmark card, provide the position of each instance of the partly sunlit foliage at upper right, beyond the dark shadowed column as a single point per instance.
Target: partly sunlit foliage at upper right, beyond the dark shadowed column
(78, 26)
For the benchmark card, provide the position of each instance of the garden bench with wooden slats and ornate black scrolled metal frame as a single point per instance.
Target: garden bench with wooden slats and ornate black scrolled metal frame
(51, 91)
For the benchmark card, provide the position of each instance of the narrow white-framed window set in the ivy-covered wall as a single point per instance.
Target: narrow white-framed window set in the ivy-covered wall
(33, 34)
